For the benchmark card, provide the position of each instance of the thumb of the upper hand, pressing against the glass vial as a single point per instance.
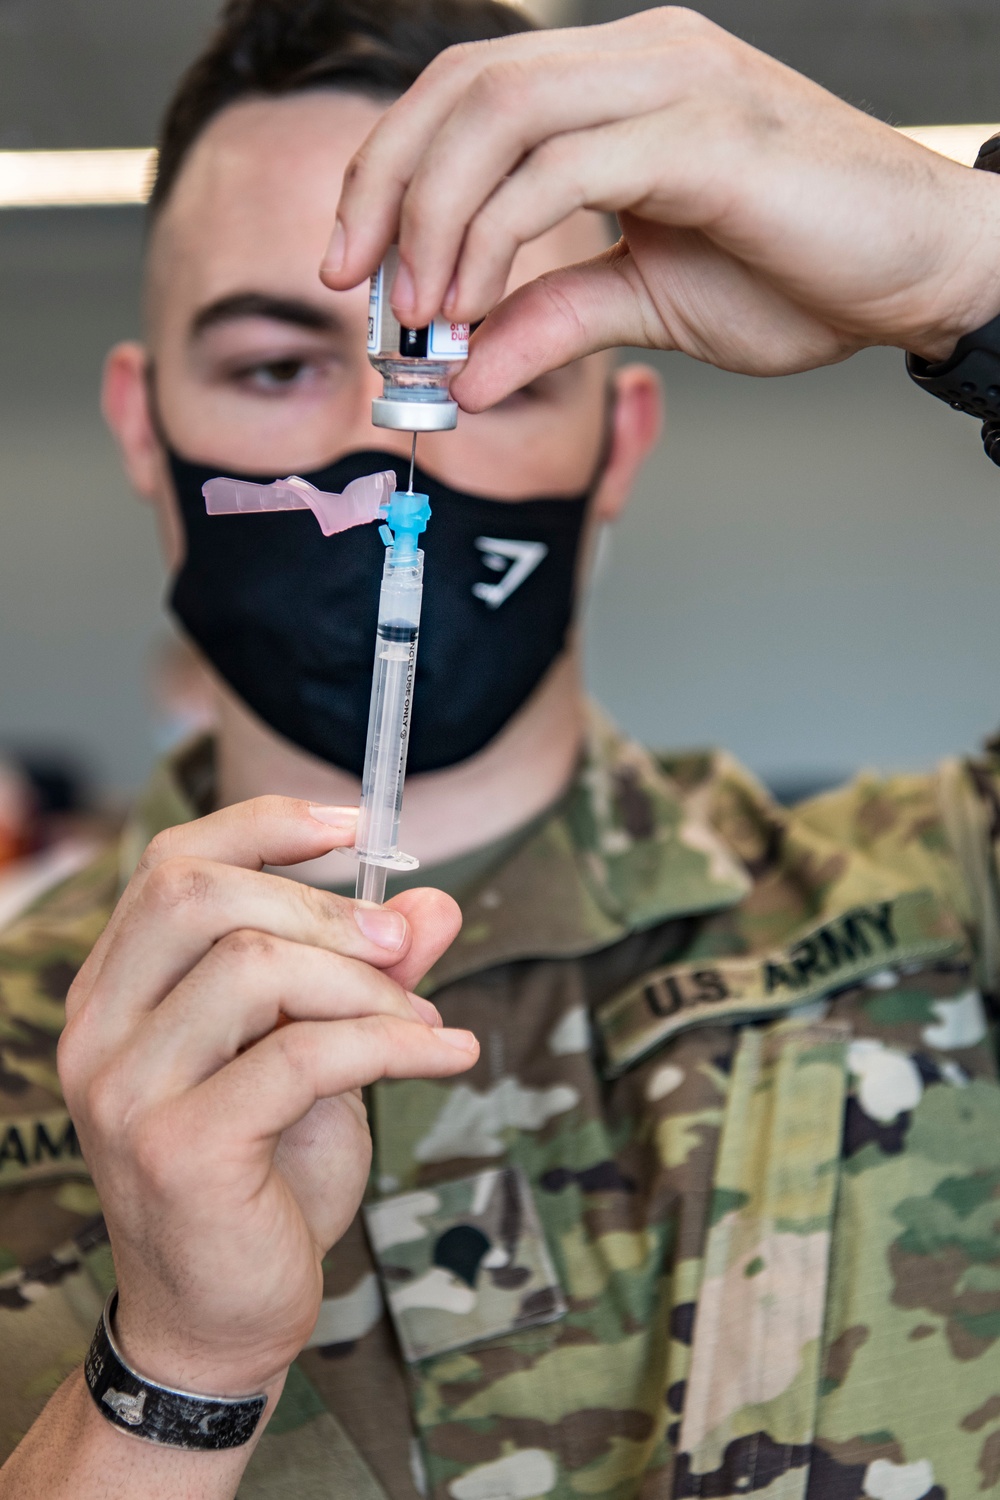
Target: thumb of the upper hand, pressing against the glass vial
(554, 320)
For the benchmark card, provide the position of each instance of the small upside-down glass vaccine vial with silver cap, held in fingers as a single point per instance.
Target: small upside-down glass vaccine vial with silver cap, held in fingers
(416, 364)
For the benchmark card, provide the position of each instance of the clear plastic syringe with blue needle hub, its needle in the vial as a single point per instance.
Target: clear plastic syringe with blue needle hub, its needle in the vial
(392, 694)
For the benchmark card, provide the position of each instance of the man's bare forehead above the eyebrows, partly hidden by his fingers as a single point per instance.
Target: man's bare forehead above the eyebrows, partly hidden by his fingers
(254, 206)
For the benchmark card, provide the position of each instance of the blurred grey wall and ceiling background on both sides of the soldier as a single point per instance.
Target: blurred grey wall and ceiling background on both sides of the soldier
(809, 574)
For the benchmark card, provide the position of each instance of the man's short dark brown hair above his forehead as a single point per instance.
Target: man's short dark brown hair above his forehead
(281, 47)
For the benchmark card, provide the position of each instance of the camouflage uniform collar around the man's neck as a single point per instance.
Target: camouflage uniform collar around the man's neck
(626, 848)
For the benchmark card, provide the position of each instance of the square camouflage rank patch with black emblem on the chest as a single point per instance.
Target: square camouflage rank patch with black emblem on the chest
(464, 1262)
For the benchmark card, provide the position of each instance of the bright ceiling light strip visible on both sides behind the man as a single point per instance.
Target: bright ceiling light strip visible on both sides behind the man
(97, 179)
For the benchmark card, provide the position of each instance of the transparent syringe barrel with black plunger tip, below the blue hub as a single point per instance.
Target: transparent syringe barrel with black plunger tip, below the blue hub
(392, 703)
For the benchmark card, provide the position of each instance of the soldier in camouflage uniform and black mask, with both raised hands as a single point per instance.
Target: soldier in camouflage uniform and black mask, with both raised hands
(678, 1168)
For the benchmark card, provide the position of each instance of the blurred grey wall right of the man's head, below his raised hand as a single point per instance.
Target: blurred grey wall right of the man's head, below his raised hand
(807, 575)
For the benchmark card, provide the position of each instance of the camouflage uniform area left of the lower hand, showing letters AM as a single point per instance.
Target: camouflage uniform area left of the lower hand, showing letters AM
(55, 1261)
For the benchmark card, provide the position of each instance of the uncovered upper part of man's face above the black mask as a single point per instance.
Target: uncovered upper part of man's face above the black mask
(262, 368)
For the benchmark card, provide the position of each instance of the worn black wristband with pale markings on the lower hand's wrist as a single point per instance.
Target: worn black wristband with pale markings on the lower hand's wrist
(161, 1414)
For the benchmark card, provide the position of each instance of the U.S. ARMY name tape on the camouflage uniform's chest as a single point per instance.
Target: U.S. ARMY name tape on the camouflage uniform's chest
(840, 952)
